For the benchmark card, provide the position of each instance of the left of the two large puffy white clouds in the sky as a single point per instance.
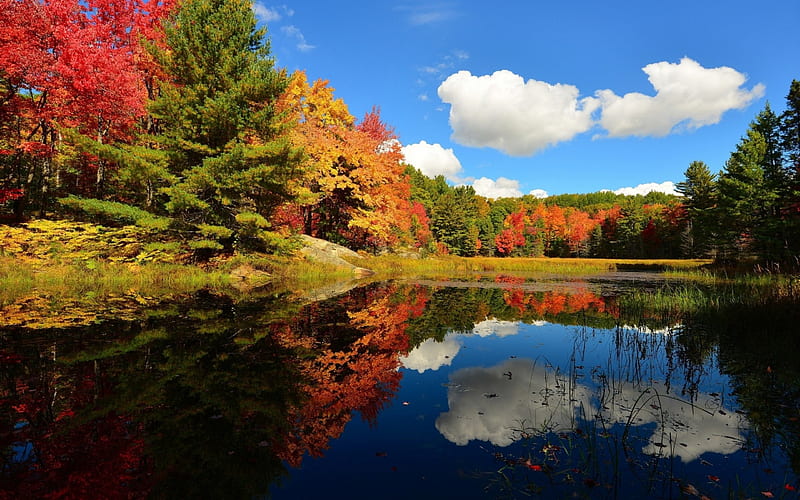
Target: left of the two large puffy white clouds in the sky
(505, 112)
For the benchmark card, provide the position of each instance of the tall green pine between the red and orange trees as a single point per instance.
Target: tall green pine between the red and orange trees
(216, 115)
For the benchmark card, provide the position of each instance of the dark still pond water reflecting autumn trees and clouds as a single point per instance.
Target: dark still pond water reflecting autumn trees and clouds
(509, 390)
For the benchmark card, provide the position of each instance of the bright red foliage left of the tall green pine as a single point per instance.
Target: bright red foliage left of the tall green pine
(77, 60)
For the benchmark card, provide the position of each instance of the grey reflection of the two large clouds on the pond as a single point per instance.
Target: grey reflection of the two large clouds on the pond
(494, 403)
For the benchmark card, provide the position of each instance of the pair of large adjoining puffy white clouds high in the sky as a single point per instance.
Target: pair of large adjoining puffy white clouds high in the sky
(520, 118)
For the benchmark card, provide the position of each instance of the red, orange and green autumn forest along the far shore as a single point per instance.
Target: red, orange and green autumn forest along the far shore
(173, 117)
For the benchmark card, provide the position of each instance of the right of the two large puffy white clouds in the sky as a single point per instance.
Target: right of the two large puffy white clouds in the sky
(687, 95)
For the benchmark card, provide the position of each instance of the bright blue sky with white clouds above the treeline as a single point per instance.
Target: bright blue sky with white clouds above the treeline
(558, 97)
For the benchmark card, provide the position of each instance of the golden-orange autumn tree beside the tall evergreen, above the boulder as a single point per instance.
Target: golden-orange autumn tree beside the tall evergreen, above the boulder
(354, 190)
